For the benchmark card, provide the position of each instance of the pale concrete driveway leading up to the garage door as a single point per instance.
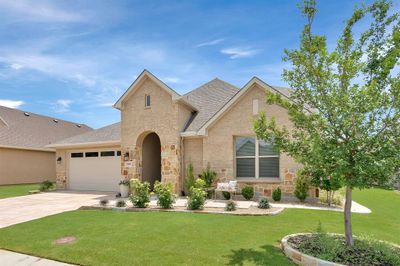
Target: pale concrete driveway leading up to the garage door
(26, 208)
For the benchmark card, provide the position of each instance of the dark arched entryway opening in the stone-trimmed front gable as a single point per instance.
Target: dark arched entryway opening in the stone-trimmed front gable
(151, 159)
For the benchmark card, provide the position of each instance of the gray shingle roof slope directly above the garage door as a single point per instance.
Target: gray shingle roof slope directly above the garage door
(108, 133)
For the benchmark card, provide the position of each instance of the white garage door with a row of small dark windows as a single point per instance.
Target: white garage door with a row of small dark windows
(95, 170)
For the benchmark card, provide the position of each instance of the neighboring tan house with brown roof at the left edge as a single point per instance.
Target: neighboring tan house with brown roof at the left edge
(24, 157)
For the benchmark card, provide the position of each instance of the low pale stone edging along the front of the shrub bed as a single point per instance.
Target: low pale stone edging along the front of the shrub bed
(131, 209)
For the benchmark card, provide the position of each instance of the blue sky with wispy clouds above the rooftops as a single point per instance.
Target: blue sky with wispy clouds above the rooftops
(73, 59)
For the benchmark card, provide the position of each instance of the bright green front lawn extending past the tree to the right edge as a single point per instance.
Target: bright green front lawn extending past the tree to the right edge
(144, 238)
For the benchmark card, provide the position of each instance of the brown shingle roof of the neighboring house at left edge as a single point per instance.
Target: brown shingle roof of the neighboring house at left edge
(20, 129)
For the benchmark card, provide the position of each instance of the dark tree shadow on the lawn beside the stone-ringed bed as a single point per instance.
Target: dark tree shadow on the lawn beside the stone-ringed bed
(269, 255)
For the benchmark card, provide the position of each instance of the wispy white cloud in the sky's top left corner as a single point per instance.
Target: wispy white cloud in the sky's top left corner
(39, 11)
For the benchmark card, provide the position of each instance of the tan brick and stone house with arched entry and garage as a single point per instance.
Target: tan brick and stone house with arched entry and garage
(161, 132)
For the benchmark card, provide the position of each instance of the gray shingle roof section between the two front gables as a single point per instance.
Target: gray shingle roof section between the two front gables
(208, 99)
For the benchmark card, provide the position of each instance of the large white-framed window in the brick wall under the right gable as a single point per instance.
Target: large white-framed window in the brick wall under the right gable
(256, 158)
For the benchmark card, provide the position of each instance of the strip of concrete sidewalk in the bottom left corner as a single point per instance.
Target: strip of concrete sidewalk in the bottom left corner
(9, 258)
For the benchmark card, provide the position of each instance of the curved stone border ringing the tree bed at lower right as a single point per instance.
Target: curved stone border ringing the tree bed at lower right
(300, 258)
